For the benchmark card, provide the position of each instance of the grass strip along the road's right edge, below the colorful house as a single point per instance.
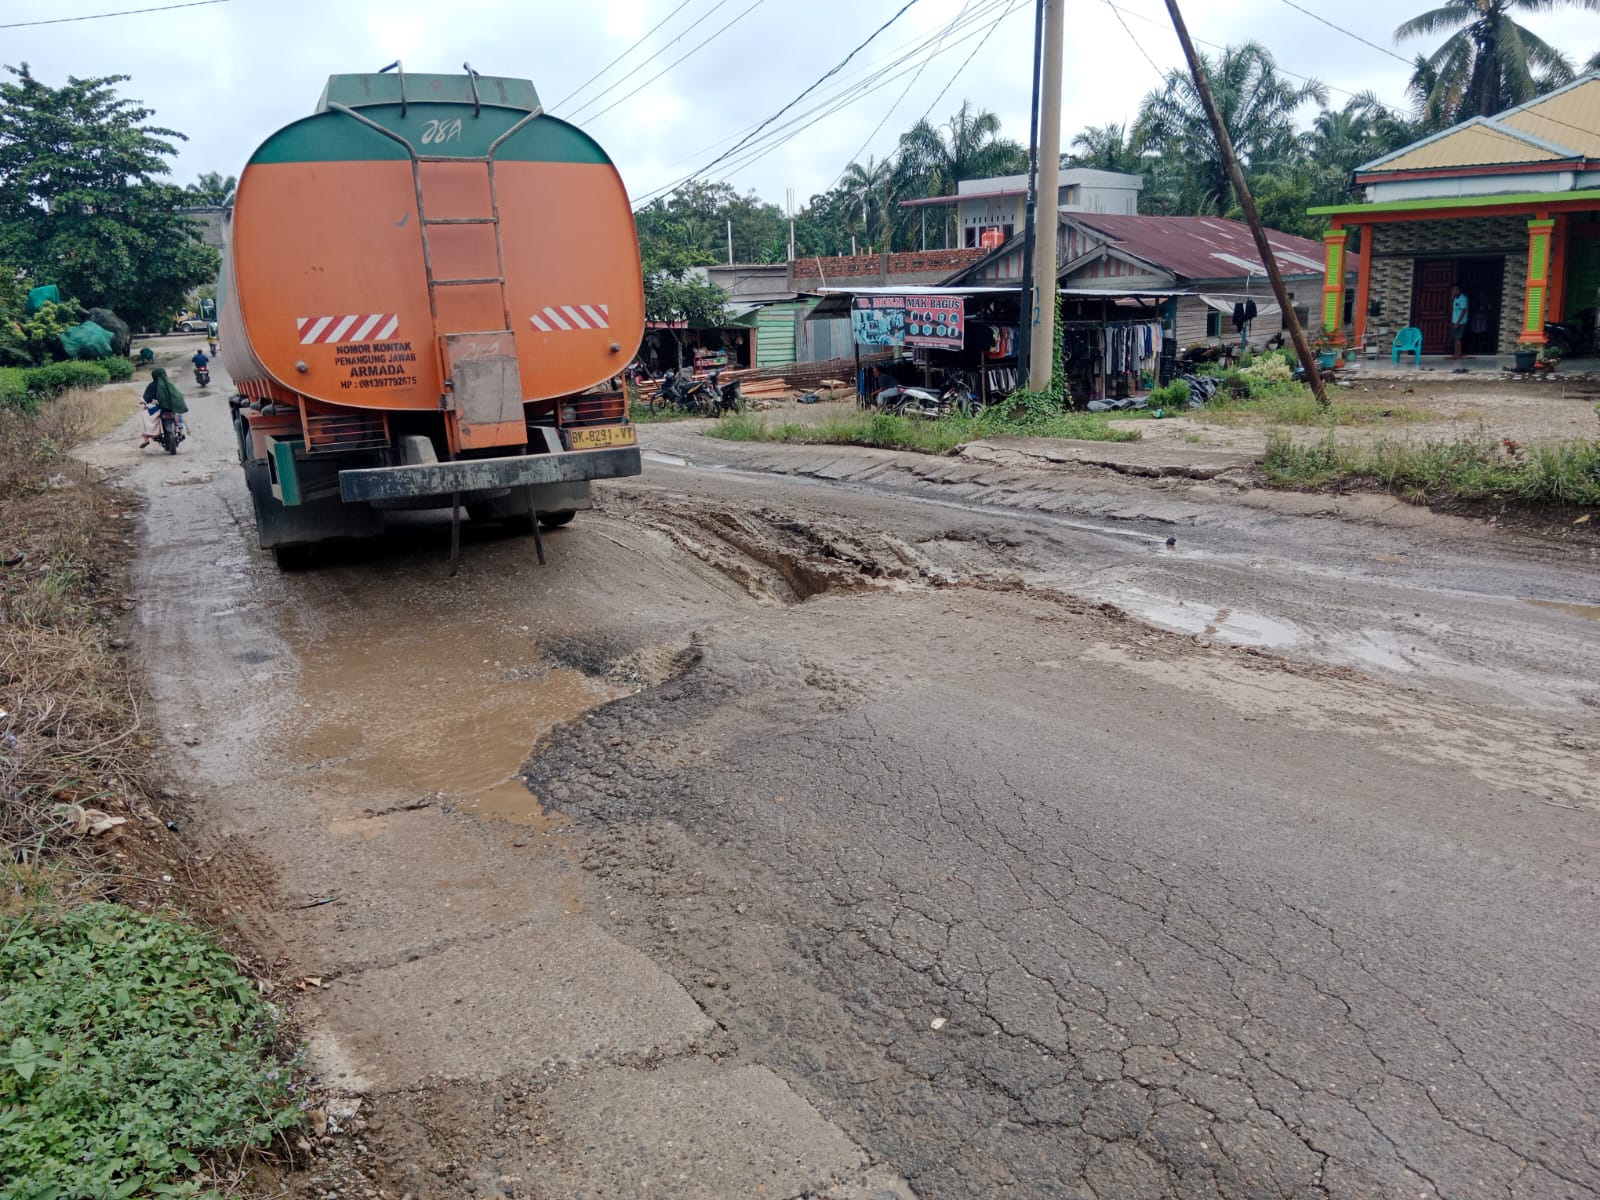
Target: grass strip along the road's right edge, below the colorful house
(1473, 470)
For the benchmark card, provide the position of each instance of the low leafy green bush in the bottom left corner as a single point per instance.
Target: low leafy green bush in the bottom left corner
(130, 1047)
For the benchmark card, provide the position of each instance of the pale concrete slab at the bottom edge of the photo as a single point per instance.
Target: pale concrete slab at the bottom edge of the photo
(700, 1132)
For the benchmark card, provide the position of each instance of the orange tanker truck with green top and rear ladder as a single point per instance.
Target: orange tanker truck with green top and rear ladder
(425, 284)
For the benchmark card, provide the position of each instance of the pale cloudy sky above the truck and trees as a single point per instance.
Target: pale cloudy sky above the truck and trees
(231, 73)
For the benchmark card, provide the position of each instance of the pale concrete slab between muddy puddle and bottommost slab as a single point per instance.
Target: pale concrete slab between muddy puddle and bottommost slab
(562, 993)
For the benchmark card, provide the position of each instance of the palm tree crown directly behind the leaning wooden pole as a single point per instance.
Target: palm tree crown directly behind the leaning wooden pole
(1258, 108)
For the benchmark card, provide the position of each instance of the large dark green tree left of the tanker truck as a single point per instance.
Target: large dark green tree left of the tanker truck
(81, 201)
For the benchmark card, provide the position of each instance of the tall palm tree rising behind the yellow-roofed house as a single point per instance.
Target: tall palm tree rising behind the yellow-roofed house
(1489, 62)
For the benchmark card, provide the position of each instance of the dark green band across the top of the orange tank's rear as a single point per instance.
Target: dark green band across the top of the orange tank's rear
(433, 130)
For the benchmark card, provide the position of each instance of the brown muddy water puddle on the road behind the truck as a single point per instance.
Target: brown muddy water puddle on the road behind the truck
(447, 718)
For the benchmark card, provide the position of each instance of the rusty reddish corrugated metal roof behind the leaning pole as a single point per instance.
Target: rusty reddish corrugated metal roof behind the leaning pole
(1202, 247)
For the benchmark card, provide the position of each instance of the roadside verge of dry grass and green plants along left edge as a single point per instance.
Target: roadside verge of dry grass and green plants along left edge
(135, 1058)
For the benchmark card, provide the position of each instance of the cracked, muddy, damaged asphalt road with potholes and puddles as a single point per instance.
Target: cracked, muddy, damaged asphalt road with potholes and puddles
(782, 839)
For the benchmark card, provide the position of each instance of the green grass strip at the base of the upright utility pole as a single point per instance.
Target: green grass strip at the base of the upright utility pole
(930, 438)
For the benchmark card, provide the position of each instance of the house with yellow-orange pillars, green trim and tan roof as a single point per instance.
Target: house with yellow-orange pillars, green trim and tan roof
(1506, 207)
